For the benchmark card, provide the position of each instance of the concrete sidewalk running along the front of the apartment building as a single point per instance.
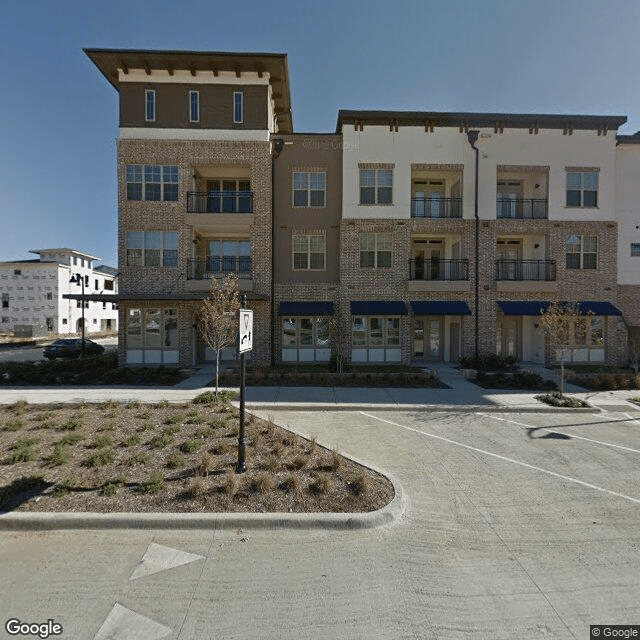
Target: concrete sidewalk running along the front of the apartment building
(461, 395)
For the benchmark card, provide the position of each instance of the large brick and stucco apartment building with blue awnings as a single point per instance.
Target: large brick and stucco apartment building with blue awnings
(403, 237)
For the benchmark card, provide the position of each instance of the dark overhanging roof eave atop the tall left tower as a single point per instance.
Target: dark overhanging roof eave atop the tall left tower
(112, 61)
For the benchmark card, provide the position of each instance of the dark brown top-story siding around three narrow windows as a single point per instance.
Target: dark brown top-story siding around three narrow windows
(172, 106)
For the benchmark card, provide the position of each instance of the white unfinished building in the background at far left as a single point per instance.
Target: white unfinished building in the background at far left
(32, 294)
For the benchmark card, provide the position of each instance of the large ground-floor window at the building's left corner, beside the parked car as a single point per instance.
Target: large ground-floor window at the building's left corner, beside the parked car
(152, 336)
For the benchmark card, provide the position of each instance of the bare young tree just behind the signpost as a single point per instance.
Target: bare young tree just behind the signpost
(217, 317)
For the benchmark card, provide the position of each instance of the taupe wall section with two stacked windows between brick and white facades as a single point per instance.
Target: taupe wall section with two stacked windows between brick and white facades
(322, 152)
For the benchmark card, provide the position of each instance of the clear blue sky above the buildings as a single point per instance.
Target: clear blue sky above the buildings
(58, 114)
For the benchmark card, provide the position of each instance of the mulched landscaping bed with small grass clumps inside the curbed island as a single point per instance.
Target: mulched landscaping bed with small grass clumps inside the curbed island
(165, 457)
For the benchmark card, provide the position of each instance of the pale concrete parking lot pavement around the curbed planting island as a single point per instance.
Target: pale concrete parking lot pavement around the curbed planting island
(516, 526)
